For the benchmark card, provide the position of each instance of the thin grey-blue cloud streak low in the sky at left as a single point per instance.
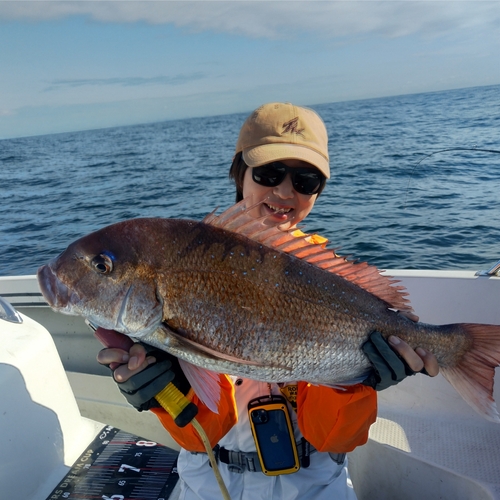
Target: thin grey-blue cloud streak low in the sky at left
(125, 81)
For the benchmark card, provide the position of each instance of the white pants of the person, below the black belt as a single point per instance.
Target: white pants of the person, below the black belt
(322, 480)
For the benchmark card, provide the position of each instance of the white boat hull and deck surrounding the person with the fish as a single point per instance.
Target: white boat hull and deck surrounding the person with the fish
(62, 408)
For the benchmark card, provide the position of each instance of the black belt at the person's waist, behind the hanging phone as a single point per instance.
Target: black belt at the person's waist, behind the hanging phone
(239, 461)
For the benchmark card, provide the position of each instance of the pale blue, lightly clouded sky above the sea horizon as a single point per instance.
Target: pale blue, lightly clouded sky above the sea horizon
(78, 65)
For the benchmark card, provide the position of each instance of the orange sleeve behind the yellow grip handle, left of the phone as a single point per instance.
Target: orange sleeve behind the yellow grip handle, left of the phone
(215, 425)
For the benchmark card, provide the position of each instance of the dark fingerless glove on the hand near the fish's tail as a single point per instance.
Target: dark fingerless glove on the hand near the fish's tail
(389, 368)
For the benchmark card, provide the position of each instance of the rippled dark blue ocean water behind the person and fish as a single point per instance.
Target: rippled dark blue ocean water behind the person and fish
(387, 203)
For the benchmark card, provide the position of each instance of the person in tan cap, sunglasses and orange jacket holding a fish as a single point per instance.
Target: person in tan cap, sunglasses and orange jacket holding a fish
(280, 167)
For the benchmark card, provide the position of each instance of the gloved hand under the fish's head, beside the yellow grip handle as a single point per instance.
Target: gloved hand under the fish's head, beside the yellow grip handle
(142, 371)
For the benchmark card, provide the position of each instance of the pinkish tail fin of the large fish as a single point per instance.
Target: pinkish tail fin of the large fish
(474, 375)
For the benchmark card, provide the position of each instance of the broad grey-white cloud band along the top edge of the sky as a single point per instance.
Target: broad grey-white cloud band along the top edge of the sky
(275, 19)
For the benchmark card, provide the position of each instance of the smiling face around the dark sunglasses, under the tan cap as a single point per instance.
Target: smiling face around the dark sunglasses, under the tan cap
(281, 203)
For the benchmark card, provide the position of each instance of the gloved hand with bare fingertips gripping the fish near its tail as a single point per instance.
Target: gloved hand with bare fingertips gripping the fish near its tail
(394, 360)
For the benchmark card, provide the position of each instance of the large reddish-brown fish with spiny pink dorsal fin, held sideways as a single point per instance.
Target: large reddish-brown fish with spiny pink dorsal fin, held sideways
(234, 295)
